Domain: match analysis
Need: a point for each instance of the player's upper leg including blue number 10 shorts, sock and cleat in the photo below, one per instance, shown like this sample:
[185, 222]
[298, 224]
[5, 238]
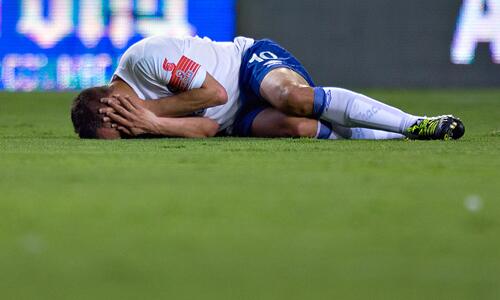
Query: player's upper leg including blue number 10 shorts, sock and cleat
[274, 74]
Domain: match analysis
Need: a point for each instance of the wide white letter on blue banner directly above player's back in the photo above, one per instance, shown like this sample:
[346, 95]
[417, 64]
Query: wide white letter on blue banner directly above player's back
[174, 22]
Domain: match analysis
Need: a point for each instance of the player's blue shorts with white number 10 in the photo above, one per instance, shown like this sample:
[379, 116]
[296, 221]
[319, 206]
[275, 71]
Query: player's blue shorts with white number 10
[260, 59]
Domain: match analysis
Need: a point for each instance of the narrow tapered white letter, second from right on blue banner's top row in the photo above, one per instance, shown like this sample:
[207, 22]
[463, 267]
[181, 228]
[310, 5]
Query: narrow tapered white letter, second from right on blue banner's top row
[121, 27]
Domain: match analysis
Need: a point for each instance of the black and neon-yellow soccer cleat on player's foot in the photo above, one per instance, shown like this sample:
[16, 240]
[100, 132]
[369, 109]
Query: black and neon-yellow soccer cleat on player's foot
[436, 128]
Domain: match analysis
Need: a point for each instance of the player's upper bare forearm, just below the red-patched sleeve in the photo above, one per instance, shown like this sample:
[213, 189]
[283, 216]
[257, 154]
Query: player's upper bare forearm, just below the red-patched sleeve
[186, 103]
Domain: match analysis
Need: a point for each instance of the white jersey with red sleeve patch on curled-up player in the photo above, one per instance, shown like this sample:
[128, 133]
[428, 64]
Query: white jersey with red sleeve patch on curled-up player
[160, 66]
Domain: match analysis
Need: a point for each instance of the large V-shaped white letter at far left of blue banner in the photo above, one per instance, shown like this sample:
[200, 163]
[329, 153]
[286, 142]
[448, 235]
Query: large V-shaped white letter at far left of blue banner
[46, 32]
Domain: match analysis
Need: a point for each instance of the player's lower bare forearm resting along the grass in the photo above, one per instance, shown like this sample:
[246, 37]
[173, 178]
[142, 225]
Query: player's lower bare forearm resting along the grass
[196, 127]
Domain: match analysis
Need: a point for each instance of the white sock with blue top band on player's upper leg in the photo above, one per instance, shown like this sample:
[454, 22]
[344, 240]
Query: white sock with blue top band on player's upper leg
[350, 109]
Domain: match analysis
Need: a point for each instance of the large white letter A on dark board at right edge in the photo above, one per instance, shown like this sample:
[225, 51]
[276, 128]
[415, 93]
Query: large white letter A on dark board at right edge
[476, 25]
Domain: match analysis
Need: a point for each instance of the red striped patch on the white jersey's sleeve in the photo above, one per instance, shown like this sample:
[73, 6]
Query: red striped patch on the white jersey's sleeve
[182, 74]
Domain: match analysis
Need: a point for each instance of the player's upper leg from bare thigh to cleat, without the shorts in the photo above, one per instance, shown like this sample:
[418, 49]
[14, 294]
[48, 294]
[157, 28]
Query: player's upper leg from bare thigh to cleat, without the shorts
[288, 91]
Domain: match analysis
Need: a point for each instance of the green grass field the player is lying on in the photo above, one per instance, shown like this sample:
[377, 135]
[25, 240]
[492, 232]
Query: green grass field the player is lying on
[249, 218]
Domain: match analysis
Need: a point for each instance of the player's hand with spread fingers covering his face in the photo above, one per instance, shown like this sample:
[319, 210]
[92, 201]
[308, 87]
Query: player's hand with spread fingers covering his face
[129, 116]
